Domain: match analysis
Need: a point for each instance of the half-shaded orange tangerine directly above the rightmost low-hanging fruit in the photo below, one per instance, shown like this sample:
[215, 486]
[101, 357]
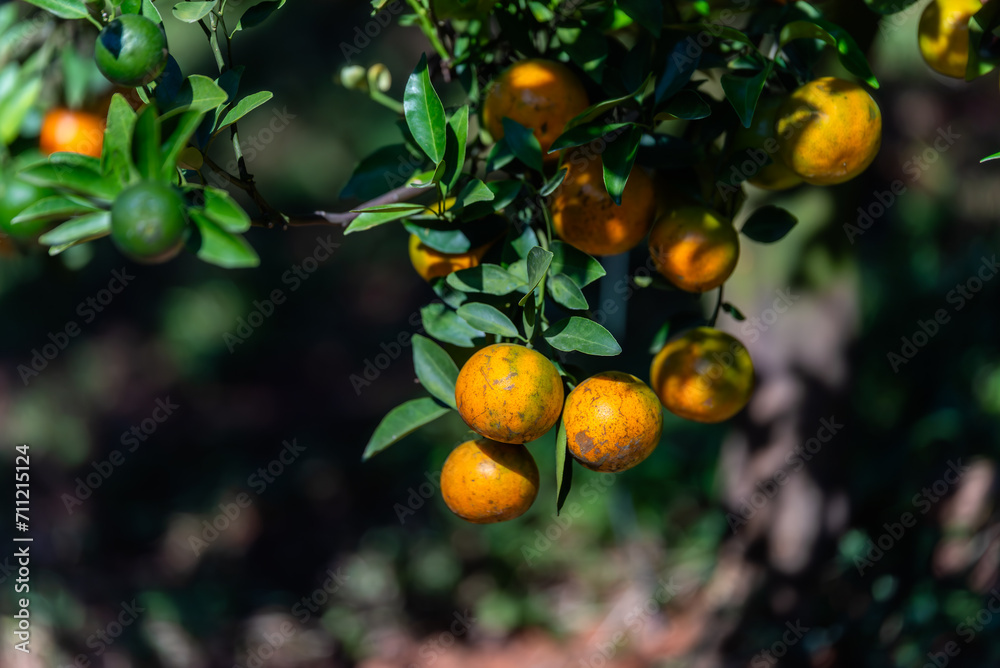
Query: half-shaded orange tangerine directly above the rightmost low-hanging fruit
[694, 248]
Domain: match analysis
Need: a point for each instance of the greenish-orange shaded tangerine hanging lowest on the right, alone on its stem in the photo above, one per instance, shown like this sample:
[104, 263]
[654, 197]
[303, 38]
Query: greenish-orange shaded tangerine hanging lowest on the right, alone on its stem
[703, 375]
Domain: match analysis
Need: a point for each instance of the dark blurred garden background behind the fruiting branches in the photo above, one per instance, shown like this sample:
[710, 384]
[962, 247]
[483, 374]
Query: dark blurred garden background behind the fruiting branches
[778, 538]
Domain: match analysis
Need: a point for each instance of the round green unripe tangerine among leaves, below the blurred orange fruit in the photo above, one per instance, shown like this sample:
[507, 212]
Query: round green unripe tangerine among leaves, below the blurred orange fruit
[148, 223]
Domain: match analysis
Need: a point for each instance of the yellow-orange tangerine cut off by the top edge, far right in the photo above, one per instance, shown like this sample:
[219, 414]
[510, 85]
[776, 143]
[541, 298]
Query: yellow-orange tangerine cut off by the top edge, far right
[943, 35]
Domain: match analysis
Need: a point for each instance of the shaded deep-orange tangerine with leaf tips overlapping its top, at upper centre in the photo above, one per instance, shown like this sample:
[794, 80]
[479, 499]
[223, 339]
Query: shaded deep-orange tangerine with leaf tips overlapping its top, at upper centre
[585, 216]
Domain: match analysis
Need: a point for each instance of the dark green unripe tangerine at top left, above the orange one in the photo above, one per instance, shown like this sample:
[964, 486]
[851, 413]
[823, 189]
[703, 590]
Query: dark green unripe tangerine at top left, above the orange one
[131, 50]
